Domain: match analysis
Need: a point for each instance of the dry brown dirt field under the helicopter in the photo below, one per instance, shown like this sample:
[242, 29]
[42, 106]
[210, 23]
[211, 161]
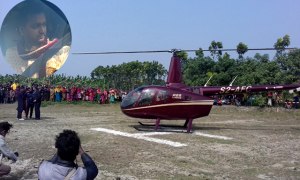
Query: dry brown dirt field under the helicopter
[265, 143]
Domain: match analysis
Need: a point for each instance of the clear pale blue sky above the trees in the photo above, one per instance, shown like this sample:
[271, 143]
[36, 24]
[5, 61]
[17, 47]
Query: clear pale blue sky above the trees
[140, 25]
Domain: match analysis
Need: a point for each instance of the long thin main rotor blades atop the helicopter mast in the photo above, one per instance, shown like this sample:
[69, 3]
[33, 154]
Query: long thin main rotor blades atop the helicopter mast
[177, 50]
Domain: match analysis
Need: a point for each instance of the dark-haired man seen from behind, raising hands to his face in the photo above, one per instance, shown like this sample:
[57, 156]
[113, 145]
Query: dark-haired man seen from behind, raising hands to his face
[62, 165]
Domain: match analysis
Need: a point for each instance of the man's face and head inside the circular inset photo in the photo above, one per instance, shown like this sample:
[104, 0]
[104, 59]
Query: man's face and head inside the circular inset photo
[34, 30]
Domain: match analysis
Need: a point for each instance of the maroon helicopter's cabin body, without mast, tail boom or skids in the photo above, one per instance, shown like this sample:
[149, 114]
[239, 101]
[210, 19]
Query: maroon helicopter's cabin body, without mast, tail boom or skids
[166, 103]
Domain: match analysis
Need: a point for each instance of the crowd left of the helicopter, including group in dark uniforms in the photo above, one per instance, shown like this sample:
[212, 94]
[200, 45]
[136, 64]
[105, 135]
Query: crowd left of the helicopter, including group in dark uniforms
[31, 97]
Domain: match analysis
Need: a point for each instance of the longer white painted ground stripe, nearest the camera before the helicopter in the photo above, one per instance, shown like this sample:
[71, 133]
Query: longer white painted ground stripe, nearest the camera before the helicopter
[140, 136]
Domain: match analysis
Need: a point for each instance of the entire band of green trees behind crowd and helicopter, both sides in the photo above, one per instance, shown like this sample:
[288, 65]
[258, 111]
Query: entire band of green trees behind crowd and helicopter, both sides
[284, 68]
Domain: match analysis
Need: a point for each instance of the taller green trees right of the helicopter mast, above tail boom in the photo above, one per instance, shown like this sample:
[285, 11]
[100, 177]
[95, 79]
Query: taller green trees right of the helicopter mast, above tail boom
[284, 68]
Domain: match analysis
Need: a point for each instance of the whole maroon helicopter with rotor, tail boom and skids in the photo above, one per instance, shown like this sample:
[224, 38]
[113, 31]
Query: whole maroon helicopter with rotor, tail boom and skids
[176, 101]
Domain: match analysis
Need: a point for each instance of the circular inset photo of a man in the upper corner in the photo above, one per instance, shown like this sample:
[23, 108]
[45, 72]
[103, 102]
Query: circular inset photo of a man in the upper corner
[35, 38]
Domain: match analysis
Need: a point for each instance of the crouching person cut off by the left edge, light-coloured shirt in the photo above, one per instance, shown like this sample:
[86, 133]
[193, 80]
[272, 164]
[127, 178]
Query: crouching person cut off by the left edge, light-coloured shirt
[5, 151]
